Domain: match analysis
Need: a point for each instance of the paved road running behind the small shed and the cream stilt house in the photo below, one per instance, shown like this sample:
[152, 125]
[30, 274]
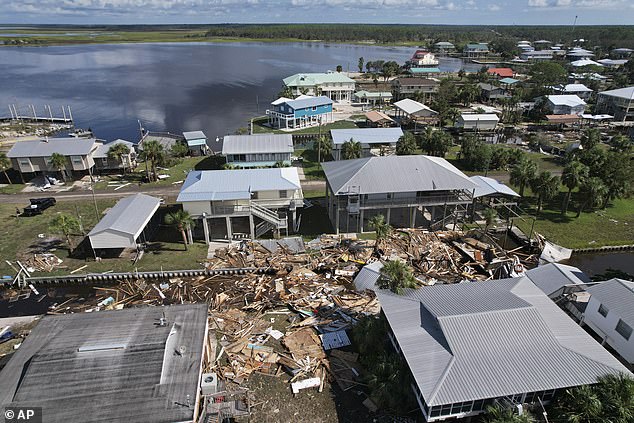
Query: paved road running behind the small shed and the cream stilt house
[161, 191]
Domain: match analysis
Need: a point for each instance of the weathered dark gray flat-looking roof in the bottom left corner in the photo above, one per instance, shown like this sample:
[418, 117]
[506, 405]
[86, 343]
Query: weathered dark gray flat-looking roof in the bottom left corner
[110, 366]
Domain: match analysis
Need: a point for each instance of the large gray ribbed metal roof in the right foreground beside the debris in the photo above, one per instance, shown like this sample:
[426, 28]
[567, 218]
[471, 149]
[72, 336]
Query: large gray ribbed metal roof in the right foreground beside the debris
[480, 340]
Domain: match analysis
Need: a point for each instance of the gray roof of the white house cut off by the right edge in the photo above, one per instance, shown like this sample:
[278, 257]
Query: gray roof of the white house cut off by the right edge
[618, 296]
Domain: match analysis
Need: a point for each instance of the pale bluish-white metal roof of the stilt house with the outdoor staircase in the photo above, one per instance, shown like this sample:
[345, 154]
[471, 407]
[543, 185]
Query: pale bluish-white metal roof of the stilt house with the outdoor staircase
[214, 185]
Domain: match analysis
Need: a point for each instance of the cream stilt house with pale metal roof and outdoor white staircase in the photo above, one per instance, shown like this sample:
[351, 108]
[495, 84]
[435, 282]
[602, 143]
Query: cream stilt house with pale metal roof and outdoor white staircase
[226, 198]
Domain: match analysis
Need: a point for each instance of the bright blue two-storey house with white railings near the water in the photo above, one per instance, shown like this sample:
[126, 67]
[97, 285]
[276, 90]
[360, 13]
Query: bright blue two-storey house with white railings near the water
[302, 112]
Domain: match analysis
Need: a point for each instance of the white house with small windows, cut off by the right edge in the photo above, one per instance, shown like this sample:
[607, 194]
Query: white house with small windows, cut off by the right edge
[610, 313]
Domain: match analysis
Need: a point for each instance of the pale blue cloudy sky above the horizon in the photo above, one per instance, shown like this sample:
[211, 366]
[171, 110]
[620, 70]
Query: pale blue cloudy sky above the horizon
[479, 12]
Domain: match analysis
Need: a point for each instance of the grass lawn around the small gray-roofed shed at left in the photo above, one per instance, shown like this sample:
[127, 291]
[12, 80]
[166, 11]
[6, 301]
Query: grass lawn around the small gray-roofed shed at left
[20, 238]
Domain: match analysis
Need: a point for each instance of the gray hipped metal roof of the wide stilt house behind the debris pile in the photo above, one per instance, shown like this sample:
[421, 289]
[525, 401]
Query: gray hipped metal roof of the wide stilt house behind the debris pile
[393, 174]
